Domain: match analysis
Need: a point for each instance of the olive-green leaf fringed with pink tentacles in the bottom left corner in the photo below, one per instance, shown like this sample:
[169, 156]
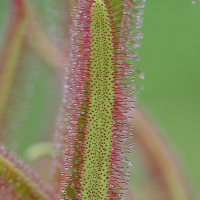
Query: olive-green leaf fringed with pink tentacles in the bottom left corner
[24, 181]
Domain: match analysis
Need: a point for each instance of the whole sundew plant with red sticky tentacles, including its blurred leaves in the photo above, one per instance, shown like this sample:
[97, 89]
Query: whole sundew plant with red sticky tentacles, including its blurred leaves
[94, 126]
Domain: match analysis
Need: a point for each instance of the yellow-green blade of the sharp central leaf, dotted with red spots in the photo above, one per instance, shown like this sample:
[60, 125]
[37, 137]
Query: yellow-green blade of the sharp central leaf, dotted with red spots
[98, 136]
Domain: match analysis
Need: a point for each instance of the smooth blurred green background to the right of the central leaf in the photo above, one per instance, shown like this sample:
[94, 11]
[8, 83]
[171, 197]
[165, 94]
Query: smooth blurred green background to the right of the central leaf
[171, 63]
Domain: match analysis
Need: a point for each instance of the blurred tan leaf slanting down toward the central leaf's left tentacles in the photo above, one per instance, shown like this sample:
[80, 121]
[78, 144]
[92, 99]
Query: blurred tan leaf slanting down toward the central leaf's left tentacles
[42, 43]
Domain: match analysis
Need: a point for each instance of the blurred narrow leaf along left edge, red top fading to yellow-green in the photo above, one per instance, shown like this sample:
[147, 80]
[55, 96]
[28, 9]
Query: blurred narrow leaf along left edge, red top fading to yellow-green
[11, 54]
